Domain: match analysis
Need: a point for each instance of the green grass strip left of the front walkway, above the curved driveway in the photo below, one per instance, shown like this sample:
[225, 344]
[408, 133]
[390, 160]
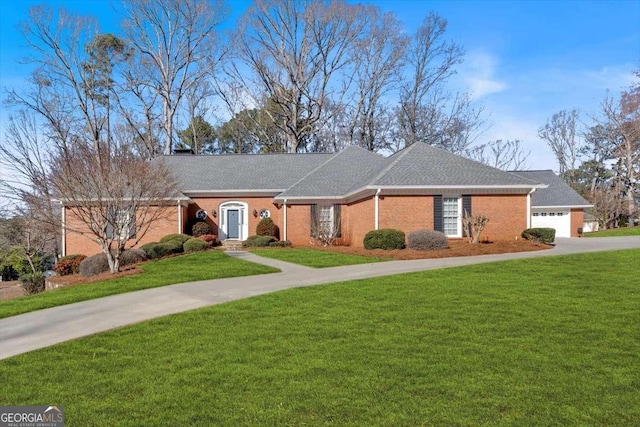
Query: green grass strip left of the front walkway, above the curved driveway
[168, 271]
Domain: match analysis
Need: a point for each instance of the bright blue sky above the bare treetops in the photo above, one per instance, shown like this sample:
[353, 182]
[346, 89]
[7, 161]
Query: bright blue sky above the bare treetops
[525, 60]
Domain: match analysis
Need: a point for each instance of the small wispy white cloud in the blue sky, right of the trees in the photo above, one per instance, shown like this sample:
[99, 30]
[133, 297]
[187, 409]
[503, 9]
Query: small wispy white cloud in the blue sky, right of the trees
[478, 73]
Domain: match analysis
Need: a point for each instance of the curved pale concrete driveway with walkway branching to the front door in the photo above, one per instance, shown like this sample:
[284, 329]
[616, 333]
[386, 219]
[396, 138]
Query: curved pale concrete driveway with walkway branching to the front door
[31, 331]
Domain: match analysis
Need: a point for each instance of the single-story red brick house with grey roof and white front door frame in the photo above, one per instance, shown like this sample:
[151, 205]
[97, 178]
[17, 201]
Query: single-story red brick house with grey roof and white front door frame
[351, 193]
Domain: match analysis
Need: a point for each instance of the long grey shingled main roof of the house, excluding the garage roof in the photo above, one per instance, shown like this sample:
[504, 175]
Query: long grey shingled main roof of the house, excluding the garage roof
[350, 172]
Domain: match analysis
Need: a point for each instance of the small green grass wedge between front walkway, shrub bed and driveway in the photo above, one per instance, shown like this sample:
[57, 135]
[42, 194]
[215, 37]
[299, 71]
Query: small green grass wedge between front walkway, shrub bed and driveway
[314, 257]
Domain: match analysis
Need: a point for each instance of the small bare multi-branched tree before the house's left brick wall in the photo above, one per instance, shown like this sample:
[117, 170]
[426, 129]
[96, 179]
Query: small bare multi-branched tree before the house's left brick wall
[112, 197]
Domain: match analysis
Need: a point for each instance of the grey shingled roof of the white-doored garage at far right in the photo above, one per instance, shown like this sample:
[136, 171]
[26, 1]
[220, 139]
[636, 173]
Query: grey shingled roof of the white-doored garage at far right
[557, 194]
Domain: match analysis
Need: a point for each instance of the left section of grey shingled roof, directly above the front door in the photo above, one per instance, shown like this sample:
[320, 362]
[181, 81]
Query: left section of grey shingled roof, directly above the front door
[242, 172]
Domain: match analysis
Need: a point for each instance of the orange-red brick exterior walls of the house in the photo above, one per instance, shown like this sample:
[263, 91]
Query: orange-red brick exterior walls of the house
[507, 218]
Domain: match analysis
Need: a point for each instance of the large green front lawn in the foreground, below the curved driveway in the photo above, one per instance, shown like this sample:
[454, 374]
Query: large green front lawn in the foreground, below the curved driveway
[546, 341]
